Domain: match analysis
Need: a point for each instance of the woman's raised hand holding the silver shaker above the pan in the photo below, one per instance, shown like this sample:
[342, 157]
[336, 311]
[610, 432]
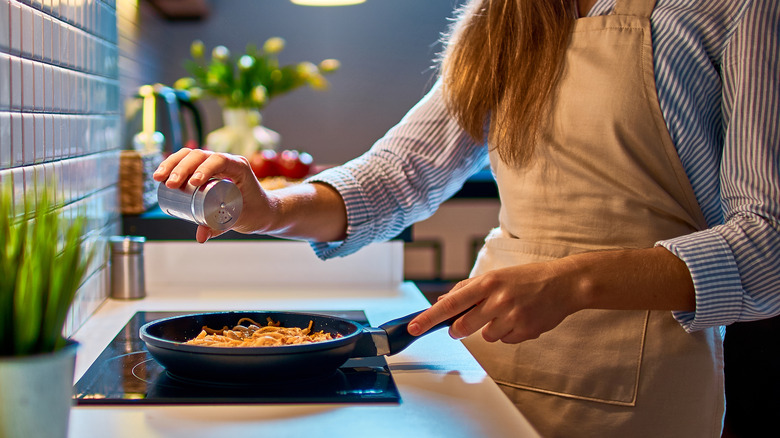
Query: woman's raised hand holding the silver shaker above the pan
[198, 166]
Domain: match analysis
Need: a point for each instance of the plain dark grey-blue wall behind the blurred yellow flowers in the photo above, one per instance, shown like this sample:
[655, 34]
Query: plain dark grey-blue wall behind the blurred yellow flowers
[386, 47]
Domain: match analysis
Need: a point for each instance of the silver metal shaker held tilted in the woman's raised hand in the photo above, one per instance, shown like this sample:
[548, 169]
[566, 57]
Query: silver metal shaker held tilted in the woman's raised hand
[216, 204]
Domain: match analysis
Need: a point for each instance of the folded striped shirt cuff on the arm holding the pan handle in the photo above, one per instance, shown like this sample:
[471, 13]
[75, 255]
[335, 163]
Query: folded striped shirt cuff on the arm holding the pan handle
[716, 279]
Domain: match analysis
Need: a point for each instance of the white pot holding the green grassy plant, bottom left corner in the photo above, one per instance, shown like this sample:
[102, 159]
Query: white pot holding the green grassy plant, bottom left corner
[36, 394]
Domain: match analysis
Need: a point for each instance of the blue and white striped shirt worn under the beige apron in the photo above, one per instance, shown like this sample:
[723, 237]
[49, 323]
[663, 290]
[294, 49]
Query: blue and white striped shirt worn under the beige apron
[717, 74]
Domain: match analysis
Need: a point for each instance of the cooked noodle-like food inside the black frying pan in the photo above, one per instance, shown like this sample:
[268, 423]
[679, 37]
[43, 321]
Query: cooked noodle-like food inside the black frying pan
[255, 335]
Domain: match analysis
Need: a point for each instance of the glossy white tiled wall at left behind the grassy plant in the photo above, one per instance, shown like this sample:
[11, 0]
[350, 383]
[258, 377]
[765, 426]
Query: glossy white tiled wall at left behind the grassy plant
[60, 116]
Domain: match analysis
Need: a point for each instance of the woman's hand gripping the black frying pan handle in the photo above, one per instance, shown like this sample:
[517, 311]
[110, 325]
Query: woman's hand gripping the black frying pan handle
[513, 304]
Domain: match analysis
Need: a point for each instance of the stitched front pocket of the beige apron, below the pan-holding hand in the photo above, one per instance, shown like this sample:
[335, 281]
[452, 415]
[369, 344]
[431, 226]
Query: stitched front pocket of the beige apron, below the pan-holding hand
[592, 355]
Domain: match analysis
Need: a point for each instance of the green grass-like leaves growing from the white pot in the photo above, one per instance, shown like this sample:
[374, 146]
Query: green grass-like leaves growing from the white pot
[39, 273]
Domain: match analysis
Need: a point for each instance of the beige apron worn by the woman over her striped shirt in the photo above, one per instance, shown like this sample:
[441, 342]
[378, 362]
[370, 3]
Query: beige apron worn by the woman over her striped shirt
[605, 175]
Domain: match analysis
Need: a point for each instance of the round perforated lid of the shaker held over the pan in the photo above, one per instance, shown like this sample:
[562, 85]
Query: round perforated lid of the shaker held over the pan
[217, 204]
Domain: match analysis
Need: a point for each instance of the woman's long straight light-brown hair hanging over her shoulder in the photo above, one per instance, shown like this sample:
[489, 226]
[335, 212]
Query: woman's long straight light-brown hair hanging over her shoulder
[501, 63]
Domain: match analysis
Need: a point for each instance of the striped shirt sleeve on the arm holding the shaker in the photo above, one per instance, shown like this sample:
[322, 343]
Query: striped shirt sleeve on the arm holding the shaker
[404, 177]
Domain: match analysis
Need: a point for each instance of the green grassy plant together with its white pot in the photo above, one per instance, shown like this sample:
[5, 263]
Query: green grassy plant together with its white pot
[42, 264]
